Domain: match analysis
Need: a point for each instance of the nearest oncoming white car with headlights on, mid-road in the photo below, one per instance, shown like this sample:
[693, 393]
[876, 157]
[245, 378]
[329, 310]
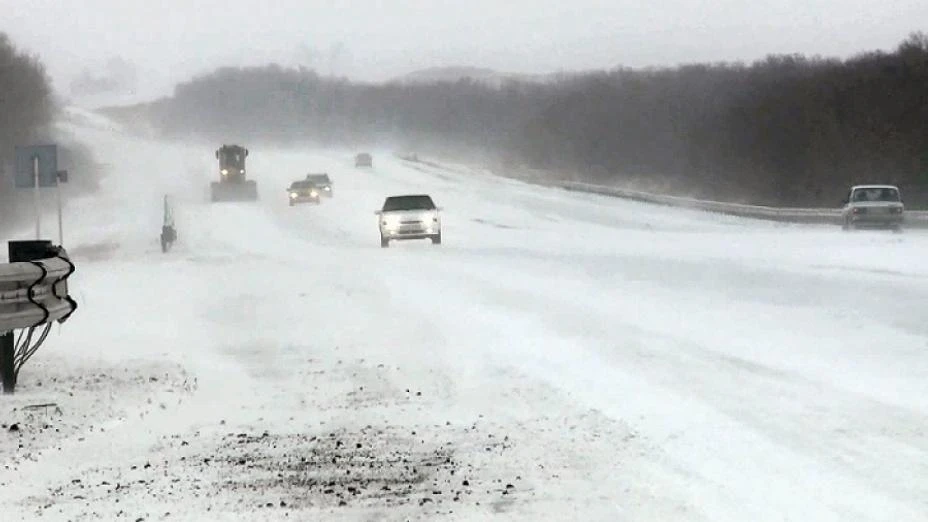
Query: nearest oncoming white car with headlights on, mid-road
[409, 217]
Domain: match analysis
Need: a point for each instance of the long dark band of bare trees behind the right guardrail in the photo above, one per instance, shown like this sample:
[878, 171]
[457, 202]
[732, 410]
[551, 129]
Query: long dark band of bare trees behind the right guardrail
[785, 130]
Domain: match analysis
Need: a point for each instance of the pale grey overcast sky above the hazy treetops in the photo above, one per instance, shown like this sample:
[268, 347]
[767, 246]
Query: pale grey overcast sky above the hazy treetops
[169, 40]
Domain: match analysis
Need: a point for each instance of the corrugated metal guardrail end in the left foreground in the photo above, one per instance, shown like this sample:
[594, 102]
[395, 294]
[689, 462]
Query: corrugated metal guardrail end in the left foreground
[35, 292]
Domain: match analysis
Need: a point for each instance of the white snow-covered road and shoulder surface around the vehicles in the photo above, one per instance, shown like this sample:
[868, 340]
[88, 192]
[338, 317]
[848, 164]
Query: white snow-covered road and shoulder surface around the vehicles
[560, 357]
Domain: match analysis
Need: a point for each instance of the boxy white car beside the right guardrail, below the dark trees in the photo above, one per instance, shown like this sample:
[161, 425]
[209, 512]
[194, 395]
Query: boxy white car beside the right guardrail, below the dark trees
[873, 206]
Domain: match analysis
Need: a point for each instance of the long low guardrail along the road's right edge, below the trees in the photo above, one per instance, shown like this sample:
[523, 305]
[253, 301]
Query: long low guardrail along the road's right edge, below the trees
[789, 215]
